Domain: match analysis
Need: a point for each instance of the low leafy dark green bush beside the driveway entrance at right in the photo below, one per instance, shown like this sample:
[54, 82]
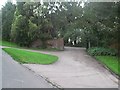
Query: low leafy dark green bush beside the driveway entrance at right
[98, 51]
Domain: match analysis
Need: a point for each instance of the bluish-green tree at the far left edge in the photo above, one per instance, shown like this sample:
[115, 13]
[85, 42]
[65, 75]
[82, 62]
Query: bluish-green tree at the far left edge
[7, 19]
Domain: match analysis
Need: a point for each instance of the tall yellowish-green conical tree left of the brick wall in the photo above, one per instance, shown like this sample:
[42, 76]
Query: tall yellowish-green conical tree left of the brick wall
[20, 26]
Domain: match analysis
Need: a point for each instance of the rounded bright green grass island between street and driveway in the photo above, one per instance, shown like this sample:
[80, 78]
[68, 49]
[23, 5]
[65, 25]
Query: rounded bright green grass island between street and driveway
[23, 56]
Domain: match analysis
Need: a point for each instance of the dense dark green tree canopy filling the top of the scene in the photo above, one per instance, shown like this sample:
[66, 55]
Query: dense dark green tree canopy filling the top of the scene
[95, 24]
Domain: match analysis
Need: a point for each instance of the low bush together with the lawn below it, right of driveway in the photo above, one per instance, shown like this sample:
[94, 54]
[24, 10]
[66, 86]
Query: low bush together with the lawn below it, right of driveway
[107, 57]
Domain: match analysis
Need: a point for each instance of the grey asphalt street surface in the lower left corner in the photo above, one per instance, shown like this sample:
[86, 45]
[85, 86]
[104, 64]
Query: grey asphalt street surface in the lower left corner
[15, 75]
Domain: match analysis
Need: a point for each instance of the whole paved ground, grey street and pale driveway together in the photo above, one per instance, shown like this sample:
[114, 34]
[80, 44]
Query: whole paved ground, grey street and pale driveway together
[74, 69]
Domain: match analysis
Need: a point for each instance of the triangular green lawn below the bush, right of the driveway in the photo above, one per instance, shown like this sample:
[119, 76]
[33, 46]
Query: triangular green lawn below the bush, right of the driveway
[111, 62]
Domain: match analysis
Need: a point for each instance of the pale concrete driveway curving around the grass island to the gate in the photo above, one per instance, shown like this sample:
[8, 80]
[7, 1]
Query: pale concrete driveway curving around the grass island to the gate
[75, 69]
